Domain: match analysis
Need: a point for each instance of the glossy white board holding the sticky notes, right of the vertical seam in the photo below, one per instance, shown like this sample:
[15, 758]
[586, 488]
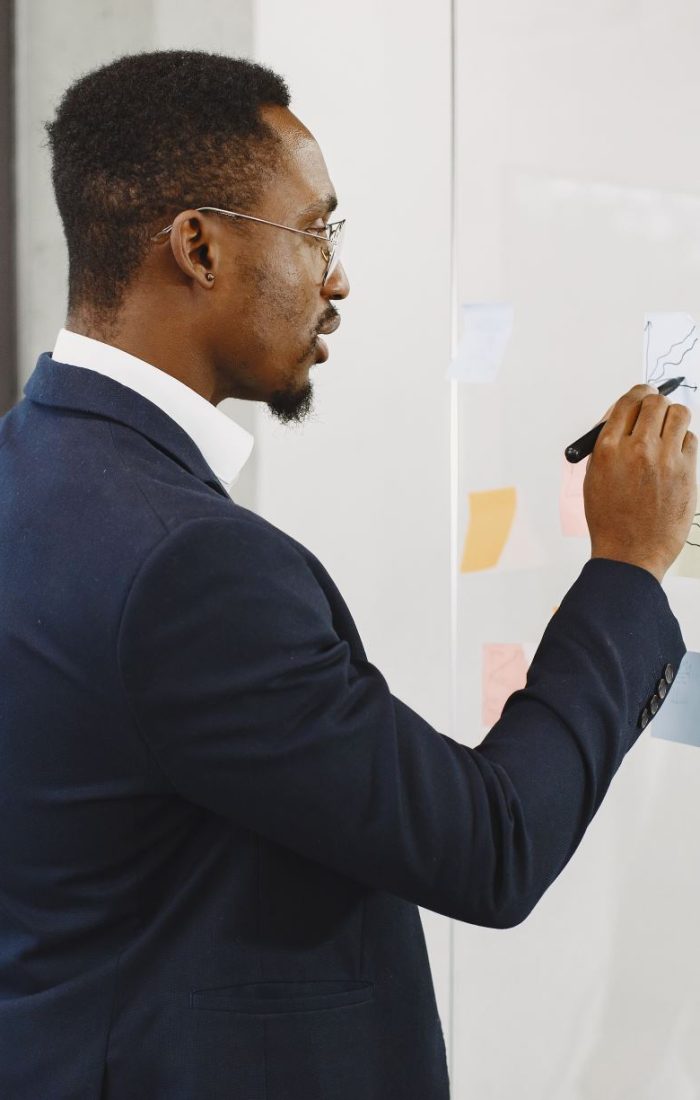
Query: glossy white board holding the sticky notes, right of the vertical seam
[578, 184]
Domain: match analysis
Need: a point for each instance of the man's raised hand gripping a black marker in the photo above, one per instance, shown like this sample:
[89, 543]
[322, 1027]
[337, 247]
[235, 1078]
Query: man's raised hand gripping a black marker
[640, 490]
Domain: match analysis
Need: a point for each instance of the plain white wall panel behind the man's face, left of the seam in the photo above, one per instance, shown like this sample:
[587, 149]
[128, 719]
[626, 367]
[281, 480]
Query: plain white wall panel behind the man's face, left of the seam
[366, 482]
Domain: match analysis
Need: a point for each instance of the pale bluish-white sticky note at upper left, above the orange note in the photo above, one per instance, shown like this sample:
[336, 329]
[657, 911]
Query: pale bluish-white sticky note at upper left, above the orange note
[485, 333]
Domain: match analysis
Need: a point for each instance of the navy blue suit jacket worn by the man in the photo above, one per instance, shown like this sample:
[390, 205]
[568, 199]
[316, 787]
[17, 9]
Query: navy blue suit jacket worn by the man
[217, 822]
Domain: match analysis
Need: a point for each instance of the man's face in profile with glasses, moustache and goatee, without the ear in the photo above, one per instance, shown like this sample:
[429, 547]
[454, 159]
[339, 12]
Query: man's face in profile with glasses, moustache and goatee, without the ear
[269, 305]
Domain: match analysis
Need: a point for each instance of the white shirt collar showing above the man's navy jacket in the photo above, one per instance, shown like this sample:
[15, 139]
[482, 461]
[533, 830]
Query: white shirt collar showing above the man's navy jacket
[226, 446]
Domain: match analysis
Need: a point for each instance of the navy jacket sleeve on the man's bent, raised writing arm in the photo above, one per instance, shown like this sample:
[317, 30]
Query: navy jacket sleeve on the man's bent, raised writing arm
[254, 708]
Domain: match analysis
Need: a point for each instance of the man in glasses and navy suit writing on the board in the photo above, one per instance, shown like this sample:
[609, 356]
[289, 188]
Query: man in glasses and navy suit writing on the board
[218, 822]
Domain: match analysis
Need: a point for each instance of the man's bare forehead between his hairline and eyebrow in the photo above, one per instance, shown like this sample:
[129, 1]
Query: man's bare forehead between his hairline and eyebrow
[303, 177]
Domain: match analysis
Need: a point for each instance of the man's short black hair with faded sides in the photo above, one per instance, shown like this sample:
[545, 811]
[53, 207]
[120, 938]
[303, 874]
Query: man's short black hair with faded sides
[148, 136]
